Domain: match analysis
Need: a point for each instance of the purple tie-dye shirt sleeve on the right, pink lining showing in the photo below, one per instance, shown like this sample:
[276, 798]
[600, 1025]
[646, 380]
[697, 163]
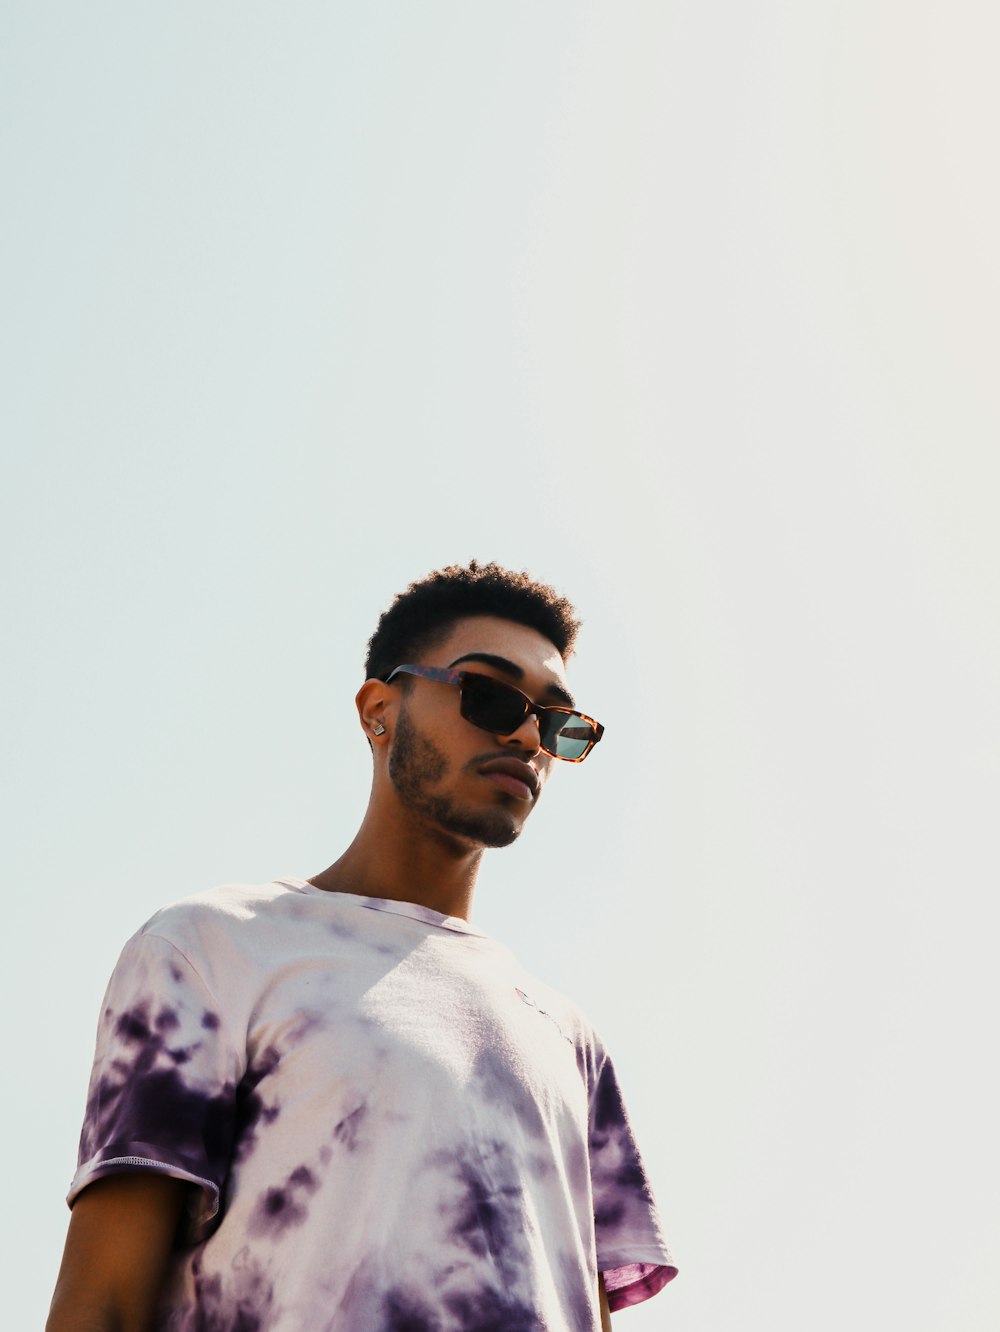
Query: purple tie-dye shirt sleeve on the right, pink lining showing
[632, 1251]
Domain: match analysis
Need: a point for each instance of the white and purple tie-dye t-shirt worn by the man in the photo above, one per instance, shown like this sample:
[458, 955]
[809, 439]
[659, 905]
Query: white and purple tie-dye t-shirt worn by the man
[388, 1125]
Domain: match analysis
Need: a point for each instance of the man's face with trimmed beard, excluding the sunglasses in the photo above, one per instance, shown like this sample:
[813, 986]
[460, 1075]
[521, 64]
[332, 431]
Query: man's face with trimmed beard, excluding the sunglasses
[443, 767]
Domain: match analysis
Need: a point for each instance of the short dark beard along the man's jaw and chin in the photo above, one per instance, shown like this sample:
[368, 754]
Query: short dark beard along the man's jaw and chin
[416, 765]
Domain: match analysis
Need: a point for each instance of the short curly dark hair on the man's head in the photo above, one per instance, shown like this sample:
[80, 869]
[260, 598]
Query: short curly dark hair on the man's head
[424, 615]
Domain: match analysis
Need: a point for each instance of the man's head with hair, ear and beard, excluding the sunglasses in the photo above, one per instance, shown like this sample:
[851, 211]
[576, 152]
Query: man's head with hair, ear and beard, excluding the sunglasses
[471, 785]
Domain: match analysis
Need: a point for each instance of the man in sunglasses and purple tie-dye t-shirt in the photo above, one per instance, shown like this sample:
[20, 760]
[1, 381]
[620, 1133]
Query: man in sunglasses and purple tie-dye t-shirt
[335, 1104]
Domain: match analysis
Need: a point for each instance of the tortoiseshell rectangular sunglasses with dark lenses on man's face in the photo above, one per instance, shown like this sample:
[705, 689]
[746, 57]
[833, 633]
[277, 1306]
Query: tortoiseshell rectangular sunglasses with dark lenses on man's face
[495, 707]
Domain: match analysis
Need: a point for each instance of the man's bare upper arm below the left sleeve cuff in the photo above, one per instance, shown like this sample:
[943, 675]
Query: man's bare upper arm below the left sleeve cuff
[121, 1235]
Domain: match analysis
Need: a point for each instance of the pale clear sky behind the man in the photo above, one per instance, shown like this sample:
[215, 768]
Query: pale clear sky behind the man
[689, 308]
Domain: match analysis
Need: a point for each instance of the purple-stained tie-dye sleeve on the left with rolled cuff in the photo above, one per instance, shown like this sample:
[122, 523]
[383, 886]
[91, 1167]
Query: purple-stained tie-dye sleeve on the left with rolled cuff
[163, 1088]
